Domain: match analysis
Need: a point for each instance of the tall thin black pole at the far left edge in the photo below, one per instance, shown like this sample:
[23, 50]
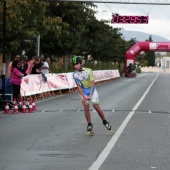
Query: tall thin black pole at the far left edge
[4, 50]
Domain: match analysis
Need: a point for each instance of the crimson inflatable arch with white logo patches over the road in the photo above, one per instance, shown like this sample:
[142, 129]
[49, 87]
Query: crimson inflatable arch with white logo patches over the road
[144, 46]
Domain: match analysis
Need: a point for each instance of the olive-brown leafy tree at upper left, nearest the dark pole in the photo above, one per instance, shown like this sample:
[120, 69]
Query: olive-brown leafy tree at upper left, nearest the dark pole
[25, 19]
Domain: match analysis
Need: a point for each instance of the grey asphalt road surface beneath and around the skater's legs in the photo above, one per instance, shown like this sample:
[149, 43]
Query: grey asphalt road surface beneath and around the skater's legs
[54, 137]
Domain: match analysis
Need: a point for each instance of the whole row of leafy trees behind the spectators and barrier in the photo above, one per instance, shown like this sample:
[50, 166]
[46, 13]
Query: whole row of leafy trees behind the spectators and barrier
[65, 28]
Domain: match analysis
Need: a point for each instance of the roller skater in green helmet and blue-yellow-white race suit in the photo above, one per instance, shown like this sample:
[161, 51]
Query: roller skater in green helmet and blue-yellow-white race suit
[85, 84]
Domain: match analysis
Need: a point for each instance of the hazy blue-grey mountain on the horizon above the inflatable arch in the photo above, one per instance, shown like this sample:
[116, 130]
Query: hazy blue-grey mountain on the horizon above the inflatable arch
[141, 36]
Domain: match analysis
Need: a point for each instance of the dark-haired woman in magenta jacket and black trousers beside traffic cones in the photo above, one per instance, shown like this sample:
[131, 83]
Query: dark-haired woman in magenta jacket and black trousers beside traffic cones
[16, 78]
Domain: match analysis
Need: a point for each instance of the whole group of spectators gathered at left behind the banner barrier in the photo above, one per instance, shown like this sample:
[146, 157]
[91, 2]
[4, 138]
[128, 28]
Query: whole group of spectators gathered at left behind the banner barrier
[23, 66]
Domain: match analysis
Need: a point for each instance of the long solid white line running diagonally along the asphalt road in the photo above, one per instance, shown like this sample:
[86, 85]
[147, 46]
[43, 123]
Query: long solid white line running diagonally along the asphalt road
[101, 158]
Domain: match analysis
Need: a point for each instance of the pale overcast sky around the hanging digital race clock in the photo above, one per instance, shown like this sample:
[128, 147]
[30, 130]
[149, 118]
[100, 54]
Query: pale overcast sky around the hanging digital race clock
[159, 17]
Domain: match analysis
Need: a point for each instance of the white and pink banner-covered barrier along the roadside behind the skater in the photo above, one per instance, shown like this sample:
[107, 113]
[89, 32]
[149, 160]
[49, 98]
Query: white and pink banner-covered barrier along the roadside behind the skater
[34, 84]
